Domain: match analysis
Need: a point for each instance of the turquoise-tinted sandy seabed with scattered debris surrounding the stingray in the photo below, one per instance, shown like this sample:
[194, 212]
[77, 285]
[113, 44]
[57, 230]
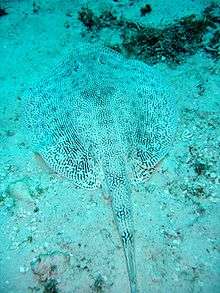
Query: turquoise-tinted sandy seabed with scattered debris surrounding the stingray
[46, 224]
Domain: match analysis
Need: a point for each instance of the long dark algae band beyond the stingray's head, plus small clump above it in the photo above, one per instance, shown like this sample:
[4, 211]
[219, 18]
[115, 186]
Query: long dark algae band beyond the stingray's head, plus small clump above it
[171, 44]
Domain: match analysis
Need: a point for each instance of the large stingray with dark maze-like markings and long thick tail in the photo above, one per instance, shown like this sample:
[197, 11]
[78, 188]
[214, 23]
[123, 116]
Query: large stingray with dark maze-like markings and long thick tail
[101, 120]
